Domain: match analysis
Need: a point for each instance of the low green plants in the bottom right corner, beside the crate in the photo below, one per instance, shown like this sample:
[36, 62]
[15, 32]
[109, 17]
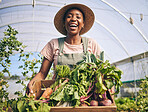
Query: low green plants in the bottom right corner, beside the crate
[140, 104]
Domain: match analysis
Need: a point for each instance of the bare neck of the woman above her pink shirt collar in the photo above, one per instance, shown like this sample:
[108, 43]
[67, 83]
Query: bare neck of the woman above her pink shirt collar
[73, 39]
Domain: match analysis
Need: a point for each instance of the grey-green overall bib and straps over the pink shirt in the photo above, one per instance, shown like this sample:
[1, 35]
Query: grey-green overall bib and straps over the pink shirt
[71, 59]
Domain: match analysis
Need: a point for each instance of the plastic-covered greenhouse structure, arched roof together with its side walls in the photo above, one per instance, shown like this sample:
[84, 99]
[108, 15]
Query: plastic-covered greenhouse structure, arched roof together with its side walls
[120, 29]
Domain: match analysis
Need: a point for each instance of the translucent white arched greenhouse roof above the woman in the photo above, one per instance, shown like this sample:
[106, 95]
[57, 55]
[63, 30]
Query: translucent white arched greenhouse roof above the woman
[120, 27]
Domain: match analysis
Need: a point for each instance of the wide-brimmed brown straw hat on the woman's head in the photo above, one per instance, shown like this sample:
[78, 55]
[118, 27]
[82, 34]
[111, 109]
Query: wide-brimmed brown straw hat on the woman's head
[59, 18]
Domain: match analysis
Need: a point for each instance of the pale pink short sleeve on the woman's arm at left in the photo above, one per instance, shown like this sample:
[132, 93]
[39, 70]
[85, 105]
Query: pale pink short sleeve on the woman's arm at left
[47, 51]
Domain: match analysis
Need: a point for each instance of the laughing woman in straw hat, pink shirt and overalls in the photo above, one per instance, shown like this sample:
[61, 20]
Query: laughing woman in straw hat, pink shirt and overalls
[72, 21]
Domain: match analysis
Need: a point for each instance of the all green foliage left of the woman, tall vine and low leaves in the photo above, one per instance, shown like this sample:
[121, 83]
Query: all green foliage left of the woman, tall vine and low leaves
[9, 45]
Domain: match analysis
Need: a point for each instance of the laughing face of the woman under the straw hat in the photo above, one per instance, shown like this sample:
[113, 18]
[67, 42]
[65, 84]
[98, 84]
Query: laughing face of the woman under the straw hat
[74, 22]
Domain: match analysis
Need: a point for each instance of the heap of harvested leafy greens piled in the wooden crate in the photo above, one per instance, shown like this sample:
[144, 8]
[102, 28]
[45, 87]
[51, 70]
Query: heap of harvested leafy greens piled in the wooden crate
[89, 80]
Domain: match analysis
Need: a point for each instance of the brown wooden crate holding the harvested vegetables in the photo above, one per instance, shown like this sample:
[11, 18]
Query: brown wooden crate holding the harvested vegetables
[37, 89]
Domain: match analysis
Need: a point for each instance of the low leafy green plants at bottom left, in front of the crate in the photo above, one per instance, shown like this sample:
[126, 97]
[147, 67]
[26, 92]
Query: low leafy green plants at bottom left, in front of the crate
[28, 104]
